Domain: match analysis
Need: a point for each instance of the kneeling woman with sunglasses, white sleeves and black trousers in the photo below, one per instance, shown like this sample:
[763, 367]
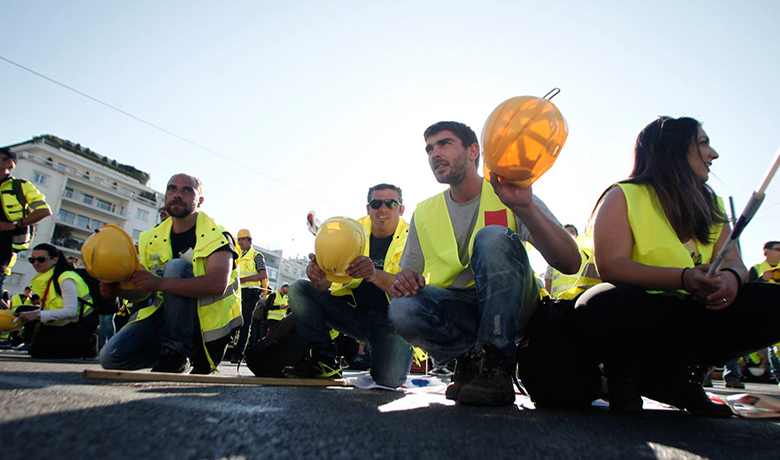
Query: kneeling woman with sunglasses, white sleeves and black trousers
[63, 327]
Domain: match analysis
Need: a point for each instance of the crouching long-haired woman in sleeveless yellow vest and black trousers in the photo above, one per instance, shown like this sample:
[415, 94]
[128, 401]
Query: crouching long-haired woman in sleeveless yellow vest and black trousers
[657, 321]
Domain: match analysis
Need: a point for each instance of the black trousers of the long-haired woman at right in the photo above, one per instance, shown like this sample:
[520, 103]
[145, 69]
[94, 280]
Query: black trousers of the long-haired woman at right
[624, 324]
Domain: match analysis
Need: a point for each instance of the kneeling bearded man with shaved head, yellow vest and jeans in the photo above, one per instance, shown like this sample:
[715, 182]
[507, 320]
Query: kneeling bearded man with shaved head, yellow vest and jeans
[190, 267]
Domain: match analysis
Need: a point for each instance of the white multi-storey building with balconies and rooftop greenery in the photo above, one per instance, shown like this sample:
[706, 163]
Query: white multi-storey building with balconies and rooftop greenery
[85, 191]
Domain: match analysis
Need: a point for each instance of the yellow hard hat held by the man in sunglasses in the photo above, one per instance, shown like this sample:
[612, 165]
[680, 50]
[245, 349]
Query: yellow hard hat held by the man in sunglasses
[338, 242]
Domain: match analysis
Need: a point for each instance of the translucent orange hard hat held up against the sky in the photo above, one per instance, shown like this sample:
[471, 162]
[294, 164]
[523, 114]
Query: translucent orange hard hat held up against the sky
[522, 138]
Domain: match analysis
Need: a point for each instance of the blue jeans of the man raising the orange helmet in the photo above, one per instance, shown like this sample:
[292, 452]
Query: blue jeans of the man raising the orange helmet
[447, 323]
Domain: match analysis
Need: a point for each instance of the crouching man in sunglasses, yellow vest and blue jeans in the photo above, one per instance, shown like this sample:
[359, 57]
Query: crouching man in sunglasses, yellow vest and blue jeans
[359, 308]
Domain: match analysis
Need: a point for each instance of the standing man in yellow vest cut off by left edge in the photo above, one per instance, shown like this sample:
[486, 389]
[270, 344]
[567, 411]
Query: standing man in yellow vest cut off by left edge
[23, 206]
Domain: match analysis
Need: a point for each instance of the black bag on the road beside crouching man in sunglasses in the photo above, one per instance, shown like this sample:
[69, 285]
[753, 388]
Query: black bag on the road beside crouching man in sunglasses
[279, 349]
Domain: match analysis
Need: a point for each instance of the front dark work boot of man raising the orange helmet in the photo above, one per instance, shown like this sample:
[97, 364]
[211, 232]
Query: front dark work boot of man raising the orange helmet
[493, 386]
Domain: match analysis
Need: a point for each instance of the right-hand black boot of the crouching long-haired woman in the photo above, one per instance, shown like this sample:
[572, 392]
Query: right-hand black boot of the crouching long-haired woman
[683, 389]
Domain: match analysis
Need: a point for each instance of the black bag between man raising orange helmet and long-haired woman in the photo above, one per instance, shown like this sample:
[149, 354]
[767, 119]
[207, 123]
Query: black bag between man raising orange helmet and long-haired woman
[552, 361]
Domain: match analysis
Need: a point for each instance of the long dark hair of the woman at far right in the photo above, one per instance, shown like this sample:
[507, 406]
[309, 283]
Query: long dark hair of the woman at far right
[661, 160]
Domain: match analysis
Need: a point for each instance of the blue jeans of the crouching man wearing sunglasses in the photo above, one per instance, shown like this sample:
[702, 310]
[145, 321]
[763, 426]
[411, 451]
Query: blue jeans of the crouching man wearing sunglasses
[316, 312]
